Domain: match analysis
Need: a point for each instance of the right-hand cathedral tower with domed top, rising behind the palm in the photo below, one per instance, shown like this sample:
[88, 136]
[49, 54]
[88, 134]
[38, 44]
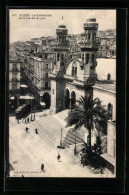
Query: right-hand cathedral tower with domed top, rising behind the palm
[89, 49]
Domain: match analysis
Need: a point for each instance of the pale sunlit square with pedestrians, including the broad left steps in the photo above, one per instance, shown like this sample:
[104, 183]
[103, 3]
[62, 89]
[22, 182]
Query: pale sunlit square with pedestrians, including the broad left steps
[27, 151]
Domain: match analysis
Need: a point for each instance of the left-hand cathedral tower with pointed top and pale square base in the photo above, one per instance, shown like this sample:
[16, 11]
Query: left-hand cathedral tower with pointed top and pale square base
[56, 76]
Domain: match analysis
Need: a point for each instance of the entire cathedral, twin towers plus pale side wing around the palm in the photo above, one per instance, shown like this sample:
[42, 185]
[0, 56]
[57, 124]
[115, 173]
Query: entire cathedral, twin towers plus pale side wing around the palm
[76, 77]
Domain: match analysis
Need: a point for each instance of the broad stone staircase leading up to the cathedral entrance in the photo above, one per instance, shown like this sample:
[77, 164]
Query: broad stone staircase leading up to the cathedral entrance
[51, 125]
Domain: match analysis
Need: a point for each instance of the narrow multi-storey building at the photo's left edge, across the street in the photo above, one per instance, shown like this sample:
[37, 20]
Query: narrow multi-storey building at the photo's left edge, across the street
[14, 82]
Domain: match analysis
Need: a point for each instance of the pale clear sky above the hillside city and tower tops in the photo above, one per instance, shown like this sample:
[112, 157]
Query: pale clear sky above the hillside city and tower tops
[26, 29]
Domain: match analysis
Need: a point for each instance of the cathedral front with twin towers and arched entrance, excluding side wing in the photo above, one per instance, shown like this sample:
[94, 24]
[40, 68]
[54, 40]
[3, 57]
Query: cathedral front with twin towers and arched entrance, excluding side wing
[72, 76]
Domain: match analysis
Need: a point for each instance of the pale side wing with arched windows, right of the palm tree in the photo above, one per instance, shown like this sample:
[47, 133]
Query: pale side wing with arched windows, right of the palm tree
[107, 94]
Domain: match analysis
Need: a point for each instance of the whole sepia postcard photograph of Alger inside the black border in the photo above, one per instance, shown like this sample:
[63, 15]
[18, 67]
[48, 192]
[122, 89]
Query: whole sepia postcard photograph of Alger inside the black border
[62, 93]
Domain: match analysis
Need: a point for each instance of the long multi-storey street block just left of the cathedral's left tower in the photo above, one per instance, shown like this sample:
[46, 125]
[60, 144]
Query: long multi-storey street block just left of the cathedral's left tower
[36, 76]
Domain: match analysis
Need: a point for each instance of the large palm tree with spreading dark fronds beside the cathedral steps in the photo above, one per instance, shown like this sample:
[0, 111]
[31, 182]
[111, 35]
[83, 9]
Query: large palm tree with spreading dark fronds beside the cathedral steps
[86, 114]
